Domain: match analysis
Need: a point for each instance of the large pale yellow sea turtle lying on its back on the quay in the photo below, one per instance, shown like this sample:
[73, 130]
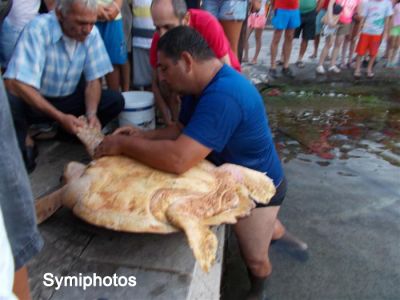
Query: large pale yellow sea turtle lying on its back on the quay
[123, 194]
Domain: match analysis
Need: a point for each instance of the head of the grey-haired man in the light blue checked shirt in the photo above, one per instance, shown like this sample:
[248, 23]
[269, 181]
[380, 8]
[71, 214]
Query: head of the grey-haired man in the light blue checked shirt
[77, 17]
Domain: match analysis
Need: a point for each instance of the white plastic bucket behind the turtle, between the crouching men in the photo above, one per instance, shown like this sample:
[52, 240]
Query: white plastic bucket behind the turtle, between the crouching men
[138, 110]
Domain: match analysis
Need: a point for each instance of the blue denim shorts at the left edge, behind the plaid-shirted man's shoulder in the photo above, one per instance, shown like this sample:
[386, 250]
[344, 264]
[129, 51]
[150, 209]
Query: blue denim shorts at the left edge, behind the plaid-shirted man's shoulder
[8, 39]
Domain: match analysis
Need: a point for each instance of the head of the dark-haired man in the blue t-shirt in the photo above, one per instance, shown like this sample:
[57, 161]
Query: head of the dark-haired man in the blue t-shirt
[181, 53]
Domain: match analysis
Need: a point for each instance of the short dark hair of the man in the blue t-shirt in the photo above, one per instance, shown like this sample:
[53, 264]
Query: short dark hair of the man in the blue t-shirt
[184, 38]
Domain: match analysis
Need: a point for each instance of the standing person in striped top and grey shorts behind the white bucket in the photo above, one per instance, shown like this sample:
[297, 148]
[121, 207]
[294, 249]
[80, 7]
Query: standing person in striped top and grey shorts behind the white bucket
[143, 30]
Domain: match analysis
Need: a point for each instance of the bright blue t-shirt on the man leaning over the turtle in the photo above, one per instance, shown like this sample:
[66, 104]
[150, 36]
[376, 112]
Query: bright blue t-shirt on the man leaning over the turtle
[230, 118]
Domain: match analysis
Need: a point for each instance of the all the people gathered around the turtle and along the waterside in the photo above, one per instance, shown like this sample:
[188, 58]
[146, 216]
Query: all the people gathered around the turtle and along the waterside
[66, 58]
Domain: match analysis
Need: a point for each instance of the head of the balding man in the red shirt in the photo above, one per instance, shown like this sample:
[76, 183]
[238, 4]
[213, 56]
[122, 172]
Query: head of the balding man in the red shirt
[168, 14]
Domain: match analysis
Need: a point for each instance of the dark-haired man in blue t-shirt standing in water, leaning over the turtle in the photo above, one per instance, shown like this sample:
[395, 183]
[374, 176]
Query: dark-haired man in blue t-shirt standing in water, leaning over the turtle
[224, 120]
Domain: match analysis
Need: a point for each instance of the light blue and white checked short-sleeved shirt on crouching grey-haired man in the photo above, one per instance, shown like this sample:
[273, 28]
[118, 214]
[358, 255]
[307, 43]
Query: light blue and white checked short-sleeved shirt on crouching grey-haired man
[41, 59]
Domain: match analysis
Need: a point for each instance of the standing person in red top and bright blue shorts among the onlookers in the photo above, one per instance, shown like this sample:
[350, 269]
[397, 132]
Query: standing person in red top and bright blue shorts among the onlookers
[286, 19]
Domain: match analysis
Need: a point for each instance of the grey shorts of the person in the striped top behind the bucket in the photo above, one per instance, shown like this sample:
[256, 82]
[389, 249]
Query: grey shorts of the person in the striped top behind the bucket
[142, 70]
